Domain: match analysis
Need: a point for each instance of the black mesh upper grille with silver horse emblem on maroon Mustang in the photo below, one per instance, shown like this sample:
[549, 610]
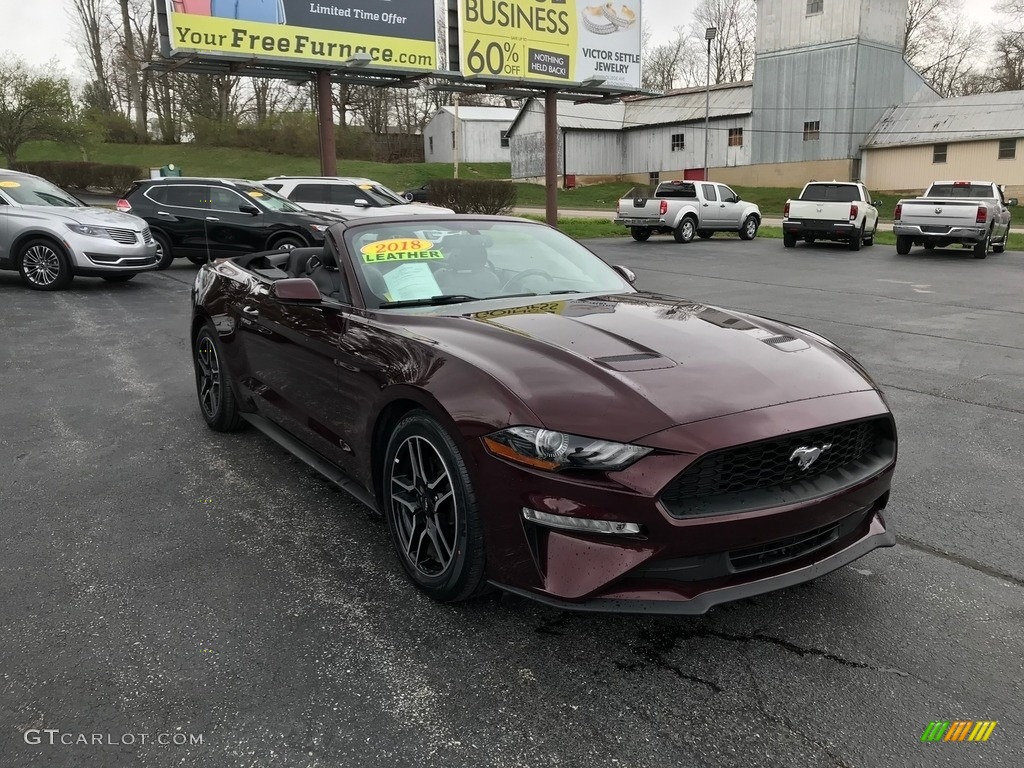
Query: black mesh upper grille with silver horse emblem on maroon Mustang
[769, 474]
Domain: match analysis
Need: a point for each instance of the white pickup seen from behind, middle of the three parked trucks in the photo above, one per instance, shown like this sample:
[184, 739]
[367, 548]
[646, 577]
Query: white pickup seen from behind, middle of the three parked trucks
[831, 210]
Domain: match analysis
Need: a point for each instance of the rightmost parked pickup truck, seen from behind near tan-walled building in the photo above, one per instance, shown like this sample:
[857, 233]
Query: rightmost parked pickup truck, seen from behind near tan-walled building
[974, 215]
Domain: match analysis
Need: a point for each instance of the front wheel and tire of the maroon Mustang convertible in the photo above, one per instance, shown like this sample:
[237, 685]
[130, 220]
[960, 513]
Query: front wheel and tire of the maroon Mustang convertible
[432, 510]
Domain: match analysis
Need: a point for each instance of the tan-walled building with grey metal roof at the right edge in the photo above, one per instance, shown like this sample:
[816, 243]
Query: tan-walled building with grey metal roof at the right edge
[971, 138]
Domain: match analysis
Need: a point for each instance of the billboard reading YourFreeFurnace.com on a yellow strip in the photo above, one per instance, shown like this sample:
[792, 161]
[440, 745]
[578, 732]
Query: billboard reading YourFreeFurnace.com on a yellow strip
[397, 34]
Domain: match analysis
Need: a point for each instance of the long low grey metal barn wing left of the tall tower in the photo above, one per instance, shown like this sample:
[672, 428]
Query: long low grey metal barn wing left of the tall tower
[639, 138]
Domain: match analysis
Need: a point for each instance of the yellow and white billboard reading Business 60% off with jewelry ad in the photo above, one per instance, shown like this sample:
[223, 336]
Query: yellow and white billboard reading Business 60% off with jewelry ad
[552, 41]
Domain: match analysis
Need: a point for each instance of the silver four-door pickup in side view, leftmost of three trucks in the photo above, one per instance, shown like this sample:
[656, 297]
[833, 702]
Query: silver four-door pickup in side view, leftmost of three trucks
[688, 209]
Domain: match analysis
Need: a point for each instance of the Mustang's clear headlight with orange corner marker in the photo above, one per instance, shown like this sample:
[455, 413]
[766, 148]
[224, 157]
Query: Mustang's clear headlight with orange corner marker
[544, 449]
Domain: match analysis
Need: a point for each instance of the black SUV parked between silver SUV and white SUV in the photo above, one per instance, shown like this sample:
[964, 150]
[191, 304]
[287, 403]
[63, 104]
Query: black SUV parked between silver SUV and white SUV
[201, 219]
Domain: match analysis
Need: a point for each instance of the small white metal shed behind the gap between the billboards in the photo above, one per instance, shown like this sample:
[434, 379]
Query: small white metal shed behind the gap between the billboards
[483, 135]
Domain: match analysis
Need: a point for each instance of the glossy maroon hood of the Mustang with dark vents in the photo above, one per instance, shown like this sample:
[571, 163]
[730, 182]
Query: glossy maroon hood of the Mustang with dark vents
[626, 366]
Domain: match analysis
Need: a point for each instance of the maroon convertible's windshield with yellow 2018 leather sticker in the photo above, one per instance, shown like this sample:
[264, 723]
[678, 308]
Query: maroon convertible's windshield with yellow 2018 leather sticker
[438, 263]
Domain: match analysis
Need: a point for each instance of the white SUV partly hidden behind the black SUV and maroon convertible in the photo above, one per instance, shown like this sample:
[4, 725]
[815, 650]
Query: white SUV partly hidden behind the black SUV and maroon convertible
[347, 196]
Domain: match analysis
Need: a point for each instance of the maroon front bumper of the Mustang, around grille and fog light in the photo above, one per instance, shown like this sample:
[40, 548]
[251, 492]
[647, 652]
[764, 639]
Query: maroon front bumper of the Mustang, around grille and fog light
[678, 565]
